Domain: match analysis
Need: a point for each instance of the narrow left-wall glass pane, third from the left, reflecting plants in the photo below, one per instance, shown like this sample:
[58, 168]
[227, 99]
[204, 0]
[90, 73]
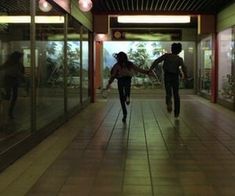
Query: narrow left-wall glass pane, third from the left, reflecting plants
[74, 64]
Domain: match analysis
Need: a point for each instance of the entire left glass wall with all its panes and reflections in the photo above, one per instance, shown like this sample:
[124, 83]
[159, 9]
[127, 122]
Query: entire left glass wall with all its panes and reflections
[38, 93]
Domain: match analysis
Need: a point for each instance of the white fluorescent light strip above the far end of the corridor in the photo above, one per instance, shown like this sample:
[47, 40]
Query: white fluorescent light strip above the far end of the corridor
[153, 19]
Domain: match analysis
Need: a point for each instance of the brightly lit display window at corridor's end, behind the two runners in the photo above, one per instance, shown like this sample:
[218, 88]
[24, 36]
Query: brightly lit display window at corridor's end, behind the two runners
[143, 53]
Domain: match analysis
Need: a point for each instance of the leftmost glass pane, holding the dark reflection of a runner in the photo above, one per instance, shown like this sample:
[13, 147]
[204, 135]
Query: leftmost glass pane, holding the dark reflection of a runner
[15, 75]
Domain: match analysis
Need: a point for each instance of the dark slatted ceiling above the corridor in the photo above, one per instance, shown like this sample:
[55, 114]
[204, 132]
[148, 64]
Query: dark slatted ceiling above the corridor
[160, 6]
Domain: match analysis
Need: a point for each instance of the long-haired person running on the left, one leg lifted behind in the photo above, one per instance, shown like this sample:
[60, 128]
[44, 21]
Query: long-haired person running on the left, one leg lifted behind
[123, 71]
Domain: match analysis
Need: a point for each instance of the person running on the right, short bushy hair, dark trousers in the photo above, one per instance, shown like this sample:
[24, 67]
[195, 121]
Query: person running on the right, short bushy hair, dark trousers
[174, 68]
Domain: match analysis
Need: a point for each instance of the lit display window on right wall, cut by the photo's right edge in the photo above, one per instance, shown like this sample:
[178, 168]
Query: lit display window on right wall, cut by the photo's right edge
[225, 73]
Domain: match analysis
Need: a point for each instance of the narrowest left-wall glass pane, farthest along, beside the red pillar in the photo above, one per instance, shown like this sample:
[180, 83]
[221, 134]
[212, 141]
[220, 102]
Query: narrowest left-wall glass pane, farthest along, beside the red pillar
[85, 65]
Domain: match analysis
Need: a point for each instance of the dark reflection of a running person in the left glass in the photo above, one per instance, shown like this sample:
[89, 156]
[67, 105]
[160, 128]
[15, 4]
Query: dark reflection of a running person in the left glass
[13, 74]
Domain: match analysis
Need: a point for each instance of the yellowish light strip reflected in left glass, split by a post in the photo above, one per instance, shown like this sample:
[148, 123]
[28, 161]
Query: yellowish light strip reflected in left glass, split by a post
[27, 19]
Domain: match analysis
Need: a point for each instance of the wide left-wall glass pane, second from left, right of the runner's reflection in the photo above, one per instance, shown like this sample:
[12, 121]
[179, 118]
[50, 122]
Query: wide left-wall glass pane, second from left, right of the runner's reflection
[49, 68]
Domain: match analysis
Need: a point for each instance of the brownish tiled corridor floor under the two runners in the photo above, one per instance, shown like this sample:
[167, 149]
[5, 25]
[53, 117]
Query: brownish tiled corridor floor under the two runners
[95, 154]
